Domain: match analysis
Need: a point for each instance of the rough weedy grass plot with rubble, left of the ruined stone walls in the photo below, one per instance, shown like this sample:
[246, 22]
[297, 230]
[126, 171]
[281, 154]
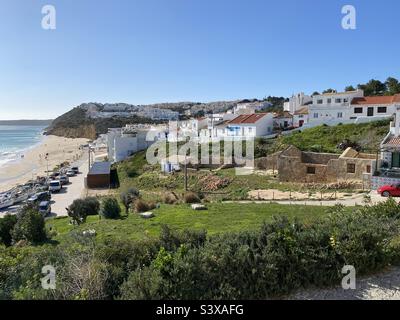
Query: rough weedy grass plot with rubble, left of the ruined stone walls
[153, 184]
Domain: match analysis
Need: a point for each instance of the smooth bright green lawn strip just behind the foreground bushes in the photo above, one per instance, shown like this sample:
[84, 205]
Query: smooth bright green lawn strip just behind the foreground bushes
[219, 218]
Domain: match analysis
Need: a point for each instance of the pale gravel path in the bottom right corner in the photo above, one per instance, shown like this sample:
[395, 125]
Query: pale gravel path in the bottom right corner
[384, 286]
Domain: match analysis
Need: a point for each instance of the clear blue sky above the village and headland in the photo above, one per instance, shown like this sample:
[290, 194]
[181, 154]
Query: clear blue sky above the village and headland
[147, 51]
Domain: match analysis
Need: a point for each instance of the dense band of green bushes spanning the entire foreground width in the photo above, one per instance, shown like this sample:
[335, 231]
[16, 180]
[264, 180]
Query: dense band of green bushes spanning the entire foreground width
[280, 257]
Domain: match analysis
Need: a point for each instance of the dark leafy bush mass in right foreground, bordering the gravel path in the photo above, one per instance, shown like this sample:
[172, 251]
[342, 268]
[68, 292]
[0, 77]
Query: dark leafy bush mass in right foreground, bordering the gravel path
[283, 256]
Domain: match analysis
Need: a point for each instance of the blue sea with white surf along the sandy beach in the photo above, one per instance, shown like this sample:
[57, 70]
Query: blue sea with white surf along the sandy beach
[15, 140]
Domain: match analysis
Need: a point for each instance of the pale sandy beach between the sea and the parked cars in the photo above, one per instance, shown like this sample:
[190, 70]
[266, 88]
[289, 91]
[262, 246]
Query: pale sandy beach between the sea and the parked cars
[34, 161]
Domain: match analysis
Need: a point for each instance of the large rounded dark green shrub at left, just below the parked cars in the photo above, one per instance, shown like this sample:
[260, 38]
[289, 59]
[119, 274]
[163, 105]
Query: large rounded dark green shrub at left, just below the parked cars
[30, 226]
